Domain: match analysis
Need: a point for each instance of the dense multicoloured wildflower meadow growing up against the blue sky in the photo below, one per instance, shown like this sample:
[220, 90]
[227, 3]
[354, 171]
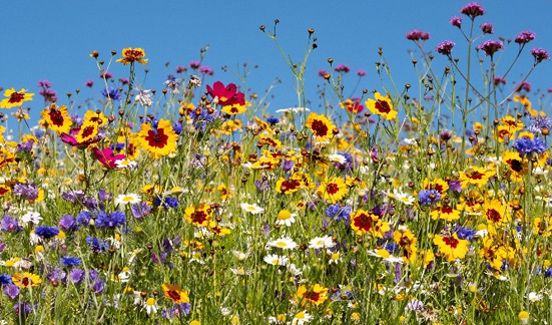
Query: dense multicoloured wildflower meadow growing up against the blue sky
[198, 203]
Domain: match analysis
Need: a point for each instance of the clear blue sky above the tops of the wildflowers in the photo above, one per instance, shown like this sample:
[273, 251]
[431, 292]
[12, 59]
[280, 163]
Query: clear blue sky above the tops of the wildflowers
[52, 39]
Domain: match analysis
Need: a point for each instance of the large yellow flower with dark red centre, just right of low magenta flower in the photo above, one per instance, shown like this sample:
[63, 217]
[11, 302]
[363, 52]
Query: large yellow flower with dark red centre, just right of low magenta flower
[158, 142]
